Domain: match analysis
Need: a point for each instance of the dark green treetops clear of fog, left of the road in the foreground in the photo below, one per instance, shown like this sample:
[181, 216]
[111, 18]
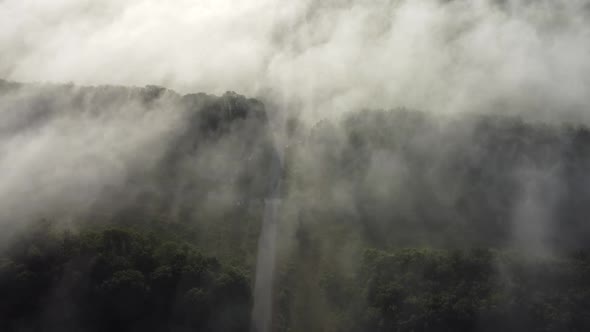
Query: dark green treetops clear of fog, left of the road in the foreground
[118, 280]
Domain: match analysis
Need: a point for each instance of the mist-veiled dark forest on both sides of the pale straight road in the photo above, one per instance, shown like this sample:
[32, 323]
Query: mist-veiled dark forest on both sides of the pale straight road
[391, 220]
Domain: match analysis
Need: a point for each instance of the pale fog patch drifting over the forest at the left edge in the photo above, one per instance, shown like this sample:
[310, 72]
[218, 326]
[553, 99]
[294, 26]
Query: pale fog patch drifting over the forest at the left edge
[57, 158]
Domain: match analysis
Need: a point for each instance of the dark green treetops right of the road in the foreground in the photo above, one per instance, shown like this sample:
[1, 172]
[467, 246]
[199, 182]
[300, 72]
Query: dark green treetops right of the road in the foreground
[483, 290]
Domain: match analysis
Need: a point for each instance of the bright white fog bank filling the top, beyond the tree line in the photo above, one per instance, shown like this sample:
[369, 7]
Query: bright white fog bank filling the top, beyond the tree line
[324, 56]
